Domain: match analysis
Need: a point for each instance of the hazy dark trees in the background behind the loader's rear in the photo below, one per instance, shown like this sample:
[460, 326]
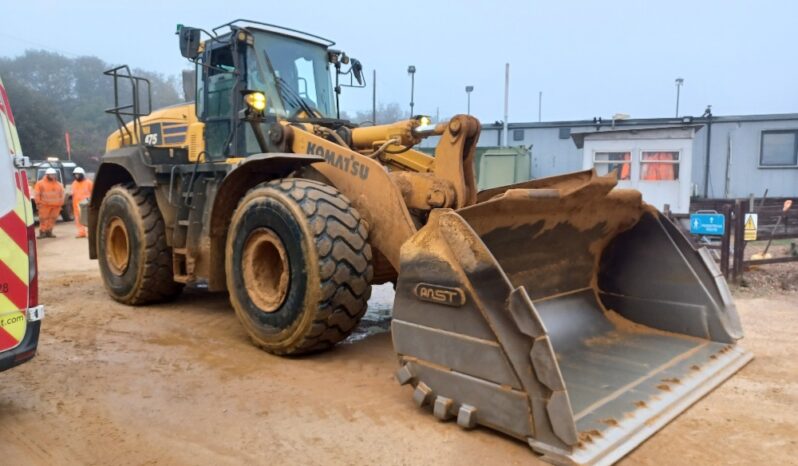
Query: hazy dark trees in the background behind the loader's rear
[51, 95]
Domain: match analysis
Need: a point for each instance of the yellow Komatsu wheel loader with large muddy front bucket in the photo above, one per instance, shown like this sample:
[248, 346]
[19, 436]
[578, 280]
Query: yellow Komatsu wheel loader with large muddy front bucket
[561, 311]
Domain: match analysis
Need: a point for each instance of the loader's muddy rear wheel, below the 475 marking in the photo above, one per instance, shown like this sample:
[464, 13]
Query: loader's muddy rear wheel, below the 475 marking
[135, 261]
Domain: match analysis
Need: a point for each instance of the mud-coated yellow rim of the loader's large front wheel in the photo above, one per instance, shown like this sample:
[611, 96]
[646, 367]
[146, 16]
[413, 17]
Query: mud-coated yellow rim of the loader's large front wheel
[266, 270]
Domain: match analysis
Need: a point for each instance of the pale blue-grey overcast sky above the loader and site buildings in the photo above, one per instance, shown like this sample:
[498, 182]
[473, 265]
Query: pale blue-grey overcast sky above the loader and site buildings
[589, 58]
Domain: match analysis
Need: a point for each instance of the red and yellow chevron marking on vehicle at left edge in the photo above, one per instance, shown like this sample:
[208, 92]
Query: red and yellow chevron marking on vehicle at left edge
[14, 266]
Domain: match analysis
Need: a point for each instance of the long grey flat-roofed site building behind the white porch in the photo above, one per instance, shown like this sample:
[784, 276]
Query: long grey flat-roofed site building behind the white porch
[733, 156]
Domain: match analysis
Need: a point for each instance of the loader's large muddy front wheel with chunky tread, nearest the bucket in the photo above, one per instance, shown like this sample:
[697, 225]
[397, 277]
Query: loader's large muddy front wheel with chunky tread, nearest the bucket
[298, 266]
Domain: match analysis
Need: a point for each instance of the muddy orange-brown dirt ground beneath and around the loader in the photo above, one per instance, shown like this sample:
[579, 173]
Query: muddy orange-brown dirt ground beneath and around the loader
[181, 384]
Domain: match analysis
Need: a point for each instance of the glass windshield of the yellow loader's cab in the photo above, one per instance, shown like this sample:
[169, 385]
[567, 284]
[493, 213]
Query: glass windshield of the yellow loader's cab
[296, 70]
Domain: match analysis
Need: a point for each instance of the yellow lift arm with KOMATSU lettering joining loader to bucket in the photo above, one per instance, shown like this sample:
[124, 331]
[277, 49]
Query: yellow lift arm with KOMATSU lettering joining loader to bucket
[413, 181]
